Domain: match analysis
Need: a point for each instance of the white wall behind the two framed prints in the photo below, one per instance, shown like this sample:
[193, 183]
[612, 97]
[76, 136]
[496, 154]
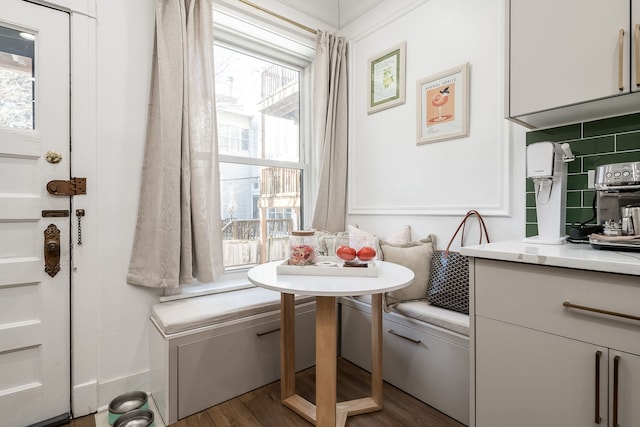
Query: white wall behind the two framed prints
[392, 180]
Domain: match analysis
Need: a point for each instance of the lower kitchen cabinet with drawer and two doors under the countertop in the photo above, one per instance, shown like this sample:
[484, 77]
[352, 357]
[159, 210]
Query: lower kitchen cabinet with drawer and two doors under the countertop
[537, 362]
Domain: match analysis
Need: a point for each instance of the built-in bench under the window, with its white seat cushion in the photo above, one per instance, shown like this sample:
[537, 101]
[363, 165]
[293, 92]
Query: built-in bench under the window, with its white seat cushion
[209, 349]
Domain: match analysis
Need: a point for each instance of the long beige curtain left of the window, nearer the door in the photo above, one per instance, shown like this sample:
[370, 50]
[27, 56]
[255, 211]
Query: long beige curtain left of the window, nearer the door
[178, 235]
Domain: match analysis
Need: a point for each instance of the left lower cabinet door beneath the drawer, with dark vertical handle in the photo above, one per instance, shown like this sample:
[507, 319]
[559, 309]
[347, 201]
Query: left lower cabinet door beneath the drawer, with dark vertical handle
[528, 378]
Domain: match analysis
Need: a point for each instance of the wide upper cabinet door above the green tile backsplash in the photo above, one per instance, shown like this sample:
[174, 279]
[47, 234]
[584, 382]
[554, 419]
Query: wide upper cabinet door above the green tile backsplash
[566, 52]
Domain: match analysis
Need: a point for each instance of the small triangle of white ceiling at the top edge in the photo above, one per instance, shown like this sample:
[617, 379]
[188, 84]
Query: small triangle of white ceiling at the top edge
[335, 13]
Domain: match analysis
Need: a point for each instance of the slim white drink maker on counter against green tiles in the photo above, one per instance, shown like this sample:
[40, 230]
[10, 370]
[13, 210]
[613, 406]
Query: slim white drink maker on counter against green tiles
[547, 168]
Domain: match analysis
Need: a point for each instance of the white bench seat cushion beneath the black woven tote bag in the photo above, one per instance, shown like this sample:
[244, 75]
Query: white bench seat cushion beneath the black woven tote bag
[426, 312]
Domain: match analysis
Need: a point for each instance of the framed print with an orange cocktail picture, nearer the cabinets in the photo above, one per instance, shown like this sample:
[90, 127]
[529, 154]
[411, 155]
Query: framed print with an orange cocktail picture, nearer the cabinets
[443, 105]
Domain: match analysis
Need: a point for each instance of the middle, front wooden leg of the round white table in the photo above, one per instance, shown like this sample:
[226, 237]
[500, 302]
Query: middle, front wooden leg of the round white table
[326, 363]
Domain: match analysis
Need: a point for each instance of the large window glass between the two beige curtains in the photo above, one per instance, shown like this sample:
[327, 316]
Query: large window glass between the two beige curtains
[261, 169]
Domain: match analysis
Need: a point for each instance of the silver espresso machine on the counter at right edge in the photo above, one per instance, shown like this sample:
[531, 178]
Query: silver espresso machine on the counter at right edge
[618, 205]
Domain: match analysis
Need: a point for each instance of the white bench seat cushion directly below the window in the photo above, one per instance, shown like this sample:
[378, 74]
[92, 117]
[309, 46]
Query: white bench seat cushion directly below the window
[186, 314]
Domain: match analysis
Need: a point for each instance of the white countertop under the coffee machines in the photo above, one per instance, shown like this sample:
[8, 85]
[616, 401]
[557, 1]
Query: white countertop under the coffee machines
[569, 255]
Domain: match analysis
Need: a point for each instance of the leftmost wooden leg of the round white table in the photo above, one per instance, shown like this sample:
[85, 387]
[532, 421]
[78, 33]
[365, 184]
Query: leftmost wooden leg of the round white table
[287, 346]
